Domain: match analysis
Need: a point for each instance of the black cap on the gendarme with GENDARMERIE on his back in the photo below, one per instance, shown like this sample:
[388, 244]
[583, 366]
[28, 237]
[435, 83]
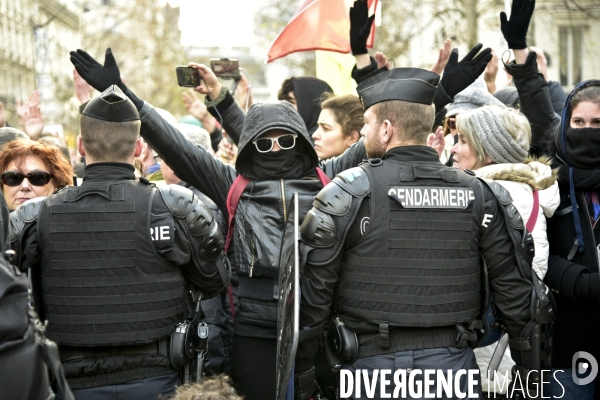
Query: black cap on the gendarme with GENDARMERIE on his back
[414, 85]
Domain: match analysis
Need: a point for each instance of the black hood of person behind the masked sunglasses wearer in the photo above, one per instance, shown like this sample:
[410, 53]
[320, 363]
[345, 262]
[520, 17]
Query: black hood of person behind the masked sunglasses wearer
[308, 91]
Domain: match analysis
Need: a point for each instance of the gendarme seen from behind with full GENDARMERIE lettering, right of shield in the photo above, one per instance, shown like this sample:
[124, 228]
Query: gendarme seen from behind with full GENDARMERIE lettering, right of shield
[396, 245]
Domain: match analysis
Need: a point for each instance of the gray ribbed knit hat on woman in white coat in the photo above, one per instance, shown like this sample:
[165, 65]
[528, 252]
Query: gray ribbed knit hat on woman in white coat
[497, 142]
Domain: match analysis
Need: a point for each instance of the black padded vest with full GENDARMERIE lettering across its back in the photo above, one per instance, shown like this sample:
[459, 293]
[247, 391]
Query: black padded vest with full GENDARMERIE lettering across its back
[418, 263]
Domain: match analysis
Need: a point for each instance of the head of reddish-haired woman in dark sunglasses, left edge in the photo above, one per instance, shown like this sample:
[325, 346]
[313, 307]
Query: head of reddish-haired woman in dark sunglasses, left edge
[31, 169]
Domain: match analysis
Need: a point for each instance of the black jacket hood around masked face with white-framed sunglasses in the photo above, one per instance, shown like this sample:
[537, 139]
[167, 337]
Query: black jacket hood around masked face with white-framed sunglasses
[264, 117]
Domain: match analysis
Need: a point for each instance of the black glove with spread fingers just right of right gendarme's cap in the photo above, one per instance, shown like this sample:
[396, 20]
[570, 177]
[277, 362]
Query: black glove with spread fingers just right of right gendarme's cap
[458, 75]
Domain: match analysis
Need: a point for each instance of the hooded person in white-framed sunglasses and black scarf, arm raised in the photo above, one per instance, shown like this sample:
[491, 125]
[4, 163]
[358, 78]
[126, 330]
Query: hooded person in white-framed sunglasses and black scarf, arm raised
[277, 158]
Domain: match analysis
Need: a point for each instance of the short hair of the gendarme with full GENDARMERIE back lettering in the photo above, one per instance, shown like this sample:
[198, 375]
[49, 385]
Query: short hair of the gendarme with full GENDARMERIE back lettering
[412, 120]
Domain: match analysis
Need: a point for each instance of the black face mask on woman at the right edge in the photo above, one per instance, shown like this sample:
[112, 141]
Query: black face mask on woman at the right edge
[583, 147]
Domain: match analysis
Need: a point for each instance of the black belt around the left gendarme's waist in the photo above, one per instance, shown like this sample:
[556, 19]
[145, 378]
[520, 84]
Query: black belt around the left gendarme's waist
[157, 348]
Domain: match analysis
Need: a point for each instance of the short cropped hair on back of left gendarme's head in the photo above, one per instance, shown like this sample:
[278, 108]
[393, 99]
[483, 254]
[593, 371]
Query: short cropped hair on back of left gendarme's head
[109, 141]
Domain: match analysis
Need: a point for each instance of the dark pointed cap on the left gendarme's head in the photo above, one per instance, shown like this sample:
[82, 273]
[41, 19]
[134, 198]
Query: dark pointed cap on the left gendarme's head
[112, 105]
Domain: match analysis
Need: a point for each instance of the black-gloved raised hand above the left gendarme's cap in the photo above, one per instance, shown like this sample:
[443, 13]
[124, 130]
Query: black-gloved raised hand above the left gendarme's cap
[100, 77]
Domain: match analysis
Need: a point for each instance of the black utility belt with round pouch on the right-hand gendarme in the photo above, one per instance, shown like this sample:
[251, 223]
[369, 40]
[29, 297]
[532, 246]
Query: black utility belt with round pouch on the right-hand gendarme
[344, 347]
